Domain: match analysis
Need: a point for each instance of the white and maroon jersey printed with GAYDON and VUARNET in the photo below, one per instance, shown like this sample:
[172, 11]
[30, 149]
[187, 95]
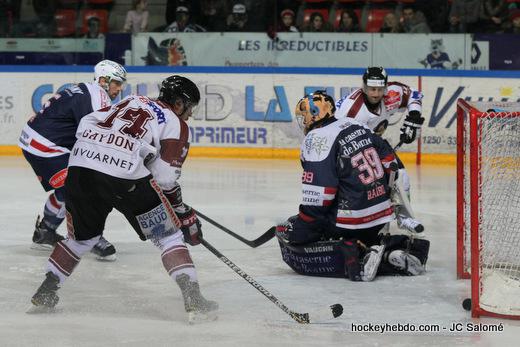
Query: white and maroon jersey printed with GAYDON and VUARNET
[116, 140]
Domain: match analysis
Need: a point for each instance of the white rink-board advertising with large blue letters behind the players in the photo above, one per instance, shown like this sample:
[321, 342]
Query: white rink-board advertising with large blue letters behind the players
[257, 110]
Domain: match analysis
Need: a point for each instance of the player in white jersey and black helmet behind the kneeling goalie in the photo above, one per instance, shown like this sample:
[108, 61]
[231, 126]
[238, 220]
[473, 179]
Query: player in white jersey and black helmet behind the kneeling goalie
[373, 105]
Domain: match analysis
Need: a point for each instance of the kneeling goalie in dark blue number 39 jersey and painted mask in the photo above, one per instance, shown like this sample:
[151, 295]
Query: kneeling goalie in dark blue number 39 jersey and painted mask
[346, 202]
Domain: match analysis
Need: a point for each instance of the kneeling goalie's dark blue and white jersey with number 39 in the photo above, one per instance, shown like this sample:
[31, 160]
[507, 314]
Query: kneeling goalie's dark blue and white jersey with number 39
[344, 177]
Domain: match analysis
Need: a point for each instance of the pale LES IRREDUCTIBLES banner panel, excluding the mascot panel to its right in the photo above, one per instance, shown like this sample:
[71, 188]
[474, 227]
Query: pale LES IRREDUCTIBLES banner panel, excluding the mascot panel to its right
[252, 49]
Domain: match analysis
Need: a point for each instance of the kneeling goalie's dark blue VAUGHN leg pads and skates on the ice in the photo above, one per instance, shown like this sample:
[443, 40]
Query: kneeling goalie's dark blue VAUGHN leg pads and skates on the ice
[400, 256]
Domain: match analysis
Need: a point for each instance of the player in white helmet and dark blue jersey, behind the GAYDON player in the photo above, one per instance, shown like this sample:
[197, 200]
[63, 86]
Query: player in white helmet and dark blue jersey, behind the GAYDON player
[48, 137]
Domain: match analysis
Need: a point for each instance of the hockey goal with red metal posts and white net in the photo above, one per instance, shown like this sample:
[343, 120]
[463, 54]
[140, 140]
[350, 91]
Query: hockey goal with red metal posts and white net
[488, 205]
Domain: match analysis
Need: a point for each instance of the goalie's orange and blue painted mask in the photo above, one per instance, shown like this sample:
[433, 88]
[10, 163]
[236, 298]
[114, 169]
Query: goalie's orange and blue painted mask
[314, 109]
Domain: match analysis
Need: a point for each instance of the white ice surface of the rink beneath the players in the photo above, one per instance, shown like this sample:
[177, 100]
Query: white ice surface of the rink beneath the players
[132, 302]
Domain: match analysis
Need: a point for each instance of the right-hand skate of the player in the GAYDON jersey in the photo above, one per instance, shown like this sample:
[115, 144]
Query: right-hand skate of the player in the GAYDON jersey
[198, 308]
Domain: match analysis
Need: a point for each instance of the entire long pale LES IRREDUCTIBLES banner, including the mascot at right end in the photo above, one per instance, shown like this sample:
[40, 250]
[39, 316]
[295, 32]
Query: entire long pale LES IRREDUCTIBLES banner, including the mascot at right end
[421, 51]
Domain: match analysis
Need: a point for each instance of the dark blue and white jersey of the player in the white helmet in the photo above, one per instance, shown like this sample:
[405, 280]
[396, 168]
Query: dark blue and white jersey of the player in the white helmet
[52, 131]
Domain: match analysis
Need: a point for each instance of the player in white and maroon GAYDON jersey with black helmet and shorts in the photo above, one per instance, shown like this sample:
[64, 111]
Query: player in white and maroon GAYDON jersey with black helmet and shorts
[129, 157]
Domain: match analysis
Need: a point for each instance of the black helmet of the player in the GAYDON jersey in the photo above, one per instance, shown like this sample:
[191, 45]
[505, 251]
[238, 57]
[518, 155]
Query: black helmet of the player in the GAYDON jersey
[177, 87]
